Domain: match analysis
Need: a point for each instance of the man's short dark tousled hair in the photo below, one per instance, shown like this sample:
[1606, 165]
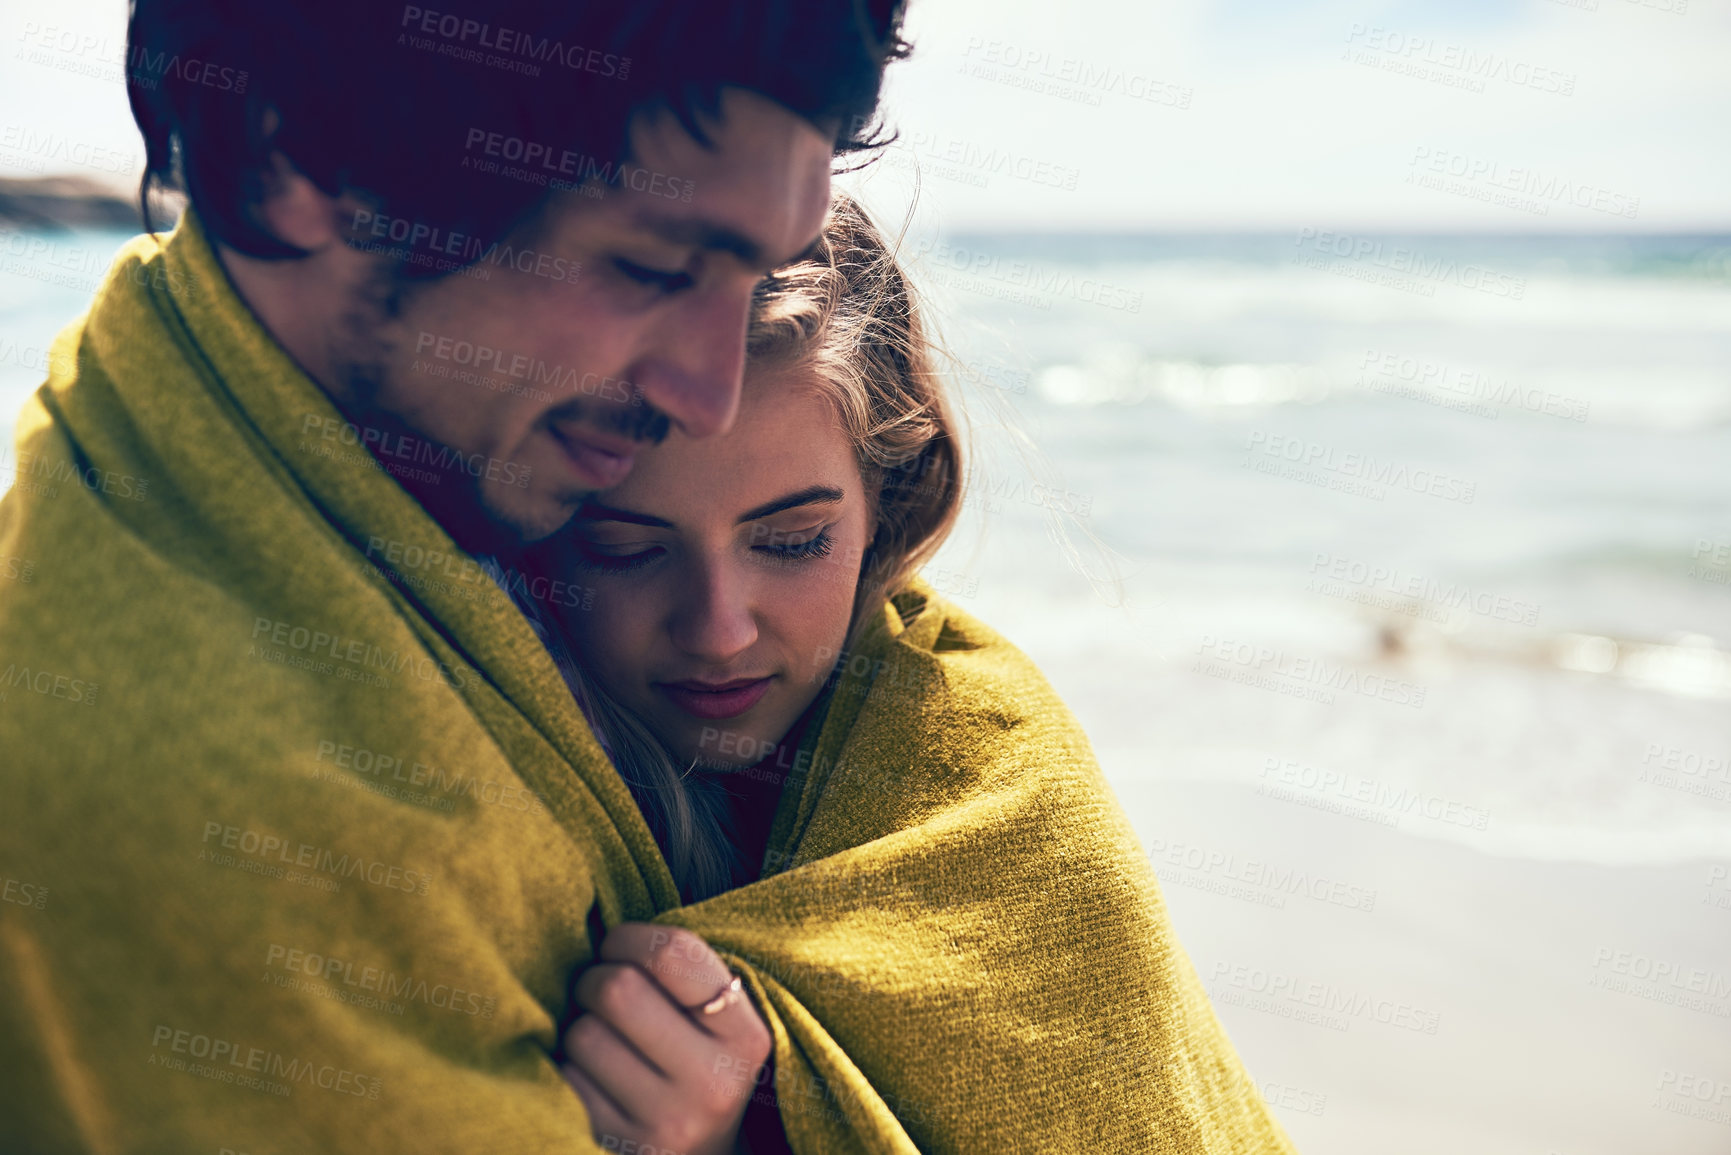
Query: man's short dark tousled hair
[465, 115]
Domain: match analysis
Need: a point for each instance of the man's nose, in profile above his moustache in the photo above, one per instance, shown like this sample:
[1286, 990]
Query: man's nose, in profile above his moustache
[697, 365]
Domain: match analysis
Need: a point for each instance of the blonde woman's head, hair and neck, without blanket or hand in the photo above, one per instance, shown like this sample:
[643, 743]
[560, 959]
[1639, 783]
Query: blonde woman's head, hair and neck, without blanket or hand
[731, 572]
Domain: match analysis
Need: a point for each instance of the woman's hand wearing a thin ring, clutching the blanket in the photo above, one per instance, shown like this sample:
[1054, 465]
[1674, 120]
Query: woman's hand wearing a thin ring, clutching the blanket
[647, 1059]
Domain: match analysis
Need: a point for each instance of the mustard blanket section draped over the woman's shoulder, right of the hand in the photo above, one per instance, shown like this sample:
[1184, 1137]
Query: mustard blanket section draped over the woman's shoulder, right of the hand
[965, 943]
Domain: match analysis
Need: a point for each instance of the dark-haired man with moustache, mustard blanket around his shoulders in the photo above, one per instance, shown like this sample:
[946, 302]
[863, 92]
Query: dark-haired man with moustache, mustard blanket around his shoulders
[302, 836]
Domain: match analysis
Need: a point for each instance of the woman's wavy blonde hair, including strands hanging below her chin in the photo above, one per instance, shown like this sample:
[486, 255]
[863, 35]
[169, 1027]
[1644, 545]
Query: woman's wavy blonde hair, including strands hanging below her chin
[847, 316]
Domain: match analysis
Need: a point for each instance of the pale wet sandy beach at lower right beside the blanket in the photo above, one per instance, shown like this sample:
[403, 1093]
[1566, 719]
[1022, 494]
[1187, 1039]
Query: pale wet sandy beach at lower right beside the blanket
[1483, 1005]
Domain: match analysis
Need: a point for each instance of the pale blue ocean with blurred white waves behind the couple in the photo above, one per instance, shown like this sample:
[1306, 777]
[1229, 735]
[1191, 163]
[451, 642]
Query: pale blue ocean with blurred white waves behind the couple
[1429, 531]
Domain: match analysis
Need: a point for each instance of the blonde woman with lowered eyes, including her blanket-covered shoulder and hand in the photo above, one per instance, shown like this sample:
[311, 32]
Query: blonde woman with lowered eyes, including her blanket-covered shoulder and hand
[833, 761]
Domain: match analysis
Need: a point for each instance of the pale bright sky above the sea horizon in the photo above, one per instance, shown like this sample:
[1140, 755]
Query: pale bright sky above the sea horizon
[1188, 115]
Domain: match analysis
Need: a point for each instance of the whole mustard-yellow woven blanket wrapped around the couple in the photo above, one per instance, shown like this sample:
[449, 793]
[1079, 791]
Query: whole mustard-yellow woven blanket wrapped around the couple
[304, 837]
